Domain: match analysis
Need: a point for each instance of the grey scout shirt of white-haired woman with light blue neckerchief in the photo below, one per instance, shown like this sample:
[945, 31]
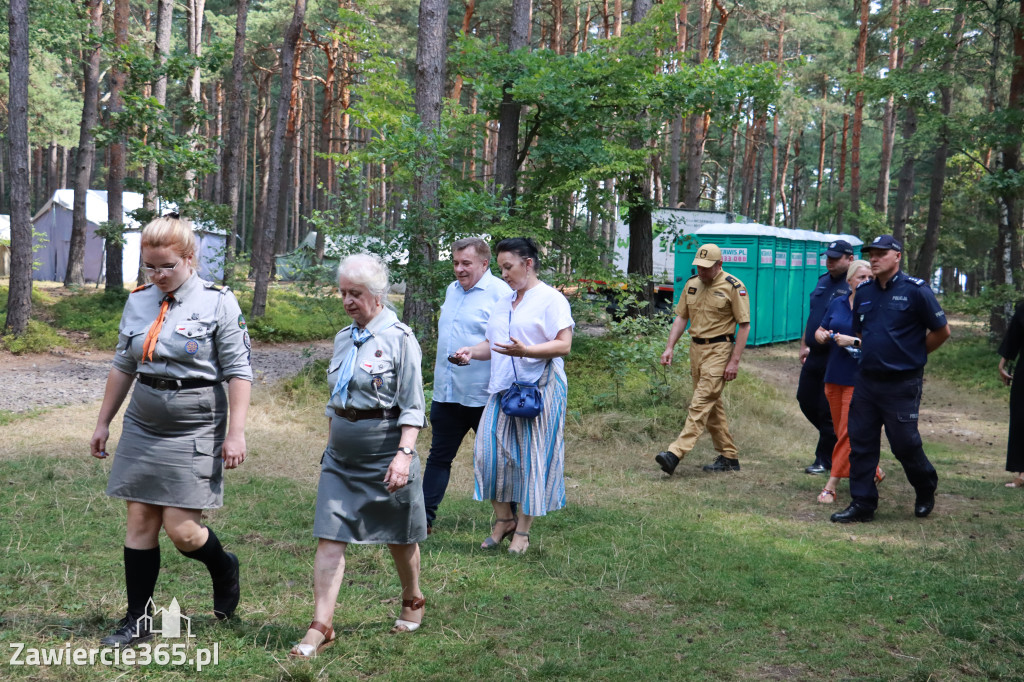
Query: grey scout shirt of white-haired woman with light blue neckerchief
[388, 371]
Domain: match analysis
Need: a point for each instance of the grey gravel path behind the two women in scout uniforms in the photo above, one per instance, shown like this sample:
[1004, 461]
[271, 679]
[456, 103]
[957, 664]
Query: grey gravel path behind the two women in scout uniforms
[63, 377]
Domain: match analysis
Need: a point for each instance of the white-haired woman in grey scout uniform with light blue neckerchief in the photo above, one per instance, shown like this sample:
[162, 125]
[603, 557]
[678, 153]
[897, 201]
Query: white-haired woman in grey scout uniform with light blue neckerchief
[370, 487]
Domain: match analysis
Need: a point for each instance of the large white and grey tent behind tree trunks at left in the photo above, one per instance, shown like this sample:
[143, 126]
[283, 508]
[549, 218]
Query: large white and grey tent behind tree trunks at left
[53, 228]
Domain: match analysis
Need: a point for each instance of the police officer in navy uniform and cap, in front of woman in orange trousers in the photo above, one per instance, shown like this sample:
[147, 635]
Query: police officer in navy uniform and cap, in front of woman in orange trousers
[900, 323]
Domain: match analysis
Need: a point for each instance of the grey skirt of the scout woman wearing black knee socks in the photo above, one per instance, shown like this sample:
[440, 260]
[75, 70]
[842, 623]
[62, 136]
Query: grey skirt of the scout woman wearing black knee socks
[169, 453]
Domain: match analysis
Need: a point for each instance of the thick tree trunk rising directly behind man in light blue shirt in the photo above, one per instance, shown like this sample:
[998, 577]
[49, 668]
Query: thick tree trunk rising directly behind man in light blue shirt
[431, 61]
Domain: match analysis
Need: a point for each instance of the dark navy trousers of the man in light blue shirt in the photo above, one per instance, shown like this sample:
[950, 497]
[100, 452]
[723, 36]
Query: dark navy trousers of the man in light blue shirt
[450, 422]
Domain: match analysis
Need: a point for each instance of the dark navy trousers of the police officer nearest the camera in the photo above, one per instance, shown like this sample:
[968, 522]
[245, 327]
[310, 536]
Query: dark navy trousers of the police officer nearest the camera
[892, 405]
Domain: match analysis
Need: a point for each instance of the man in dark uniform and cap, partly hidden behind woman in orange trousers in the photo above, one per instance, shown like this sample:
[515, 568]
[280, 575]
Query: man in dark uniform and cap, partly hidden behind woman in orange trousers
[815, 357]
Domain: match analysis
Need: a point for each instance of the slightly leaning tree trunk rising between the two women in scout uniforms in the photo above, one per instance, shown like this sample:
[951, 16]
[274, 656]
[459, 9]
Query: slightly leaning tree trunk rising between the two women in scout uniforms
[277, 161]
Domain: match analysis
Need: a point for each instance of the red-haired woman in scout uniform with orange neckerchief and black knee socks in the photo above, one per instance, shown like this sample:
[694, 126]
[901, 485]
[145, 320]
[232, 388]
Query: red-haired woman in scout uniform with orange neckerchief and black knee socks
[183, 337]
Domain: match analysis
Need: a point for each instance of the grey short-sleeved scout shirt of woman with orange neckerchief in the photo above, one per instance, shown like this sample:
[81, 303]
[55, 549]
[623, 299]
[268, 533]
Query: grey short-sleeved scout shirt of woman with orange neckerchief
[204, 335]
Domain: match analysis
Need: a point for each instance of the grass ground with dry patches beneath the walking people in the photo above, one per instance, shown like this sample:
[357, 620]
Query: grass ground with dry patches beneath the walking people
[699, 577]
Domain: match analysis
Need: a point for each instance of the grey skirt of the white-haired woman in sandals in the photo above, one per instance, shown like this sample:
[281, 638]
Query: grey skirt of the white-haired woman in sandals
[353, 502]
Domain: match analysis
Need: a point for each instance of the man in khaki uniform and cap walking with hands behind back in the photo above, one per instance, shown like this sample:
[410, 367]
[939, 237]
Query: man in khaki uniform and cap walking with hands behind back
[714, 303]
